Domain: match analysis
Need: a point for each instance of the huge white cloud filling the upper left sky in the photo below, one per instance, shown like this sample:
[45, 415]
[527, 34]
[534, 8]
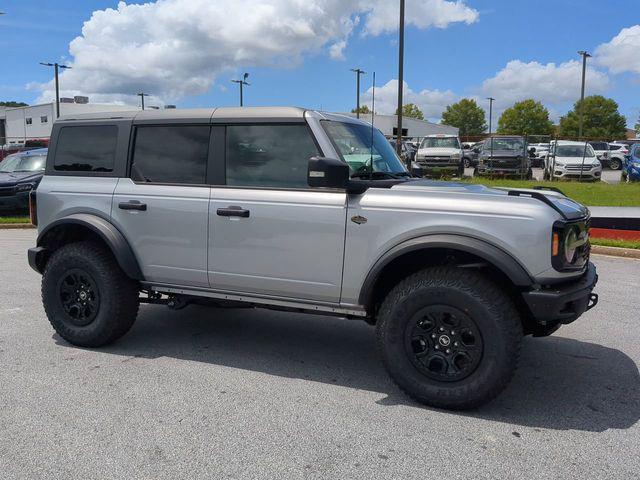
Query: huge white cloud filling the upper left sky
[174, 48]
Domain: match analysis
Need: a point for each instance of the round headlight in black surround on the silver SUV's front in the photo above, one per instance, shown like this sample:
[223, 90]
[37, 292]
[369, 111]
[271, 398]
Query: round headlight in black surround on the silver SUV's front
[570, 246]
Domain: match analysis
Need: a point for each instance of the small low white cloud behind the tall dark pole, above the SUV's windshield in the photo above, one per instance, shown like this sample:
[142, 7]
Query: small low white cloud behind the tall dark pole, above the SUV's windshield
[431, 102]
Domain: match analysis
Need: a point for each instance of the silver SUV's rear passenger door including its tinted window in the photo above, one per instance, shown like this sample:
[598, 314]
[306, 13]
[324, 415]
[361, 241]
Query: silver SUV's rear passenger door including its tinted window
[162, 206]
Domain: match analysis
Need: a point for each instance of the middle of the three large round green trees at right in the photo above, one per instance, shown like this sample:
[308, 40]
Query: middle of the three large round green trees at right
[525, 118]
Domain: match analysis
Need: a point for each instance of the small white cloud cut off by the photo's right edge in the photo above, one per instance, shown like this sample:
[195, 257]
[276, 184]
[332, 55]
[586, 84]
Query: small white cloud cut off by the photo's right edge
[622, 53]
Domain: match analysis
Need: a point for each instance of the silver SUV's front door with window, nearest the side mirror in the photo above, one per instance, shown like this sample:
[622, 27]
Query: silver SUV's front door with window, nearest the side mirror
[269, 233]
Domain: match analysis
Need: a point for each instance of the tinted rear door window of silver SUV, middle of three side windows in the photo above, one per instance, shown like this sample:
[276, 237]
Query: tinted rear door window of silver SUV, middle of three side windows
[171, 154]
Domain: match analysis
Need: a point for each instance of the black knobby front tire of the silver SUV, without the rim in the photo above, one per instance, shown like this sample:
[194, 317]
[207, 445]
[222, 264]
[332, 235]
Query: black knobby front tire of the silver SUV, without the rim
[484, 302]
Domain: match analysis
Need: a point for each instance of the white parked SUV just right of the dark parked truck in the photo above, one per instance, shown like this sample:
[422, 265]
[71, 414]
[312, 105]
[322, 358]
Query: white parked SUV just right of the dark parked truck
[572, 160]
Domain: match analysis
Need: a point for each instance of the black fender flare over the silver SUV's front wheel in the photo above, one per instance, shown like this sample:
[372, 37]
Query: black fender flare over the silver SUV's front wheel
[480, 248]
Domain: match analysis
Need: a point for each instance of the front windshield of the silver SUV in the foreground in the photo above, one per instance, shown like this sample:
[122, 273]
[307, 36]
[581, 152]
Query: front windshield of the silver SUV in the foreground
[353, 142]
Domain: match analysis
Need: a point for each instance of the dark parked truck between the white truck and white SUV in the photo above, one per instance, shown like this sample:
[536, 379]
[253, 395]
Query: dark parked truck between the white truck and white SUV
[504, 156]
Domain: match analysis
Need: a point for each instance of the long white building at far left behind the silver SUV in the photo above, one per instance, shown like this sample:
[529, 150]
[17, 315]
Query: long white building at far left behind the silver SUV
[18, 124]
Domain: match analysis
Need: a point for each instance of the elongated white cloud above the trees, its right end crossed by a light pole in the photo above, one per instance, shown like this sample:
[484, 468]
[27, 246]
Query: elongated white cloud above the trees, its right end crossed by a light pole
[550, 83]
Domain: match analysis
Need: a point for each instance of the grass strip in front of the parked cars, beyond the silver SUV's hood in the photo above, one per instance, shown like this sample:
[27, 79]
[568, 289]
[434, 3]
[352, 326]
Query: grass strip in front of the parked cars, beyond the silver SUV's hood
[595, 194]
